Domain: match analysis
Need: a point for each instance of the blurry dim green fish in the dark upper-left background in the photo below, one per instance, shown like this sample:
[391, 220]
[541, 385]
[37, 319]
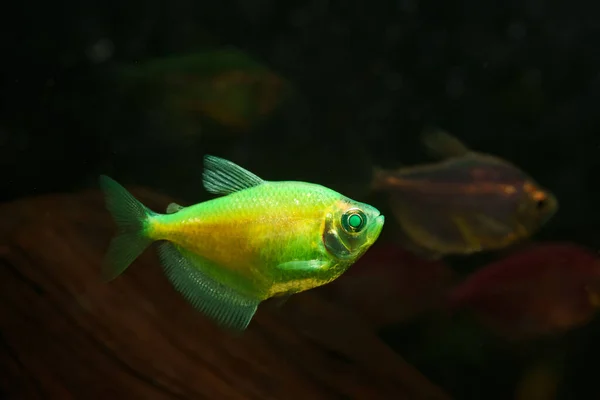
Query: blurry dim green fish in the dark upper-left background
[225, 86]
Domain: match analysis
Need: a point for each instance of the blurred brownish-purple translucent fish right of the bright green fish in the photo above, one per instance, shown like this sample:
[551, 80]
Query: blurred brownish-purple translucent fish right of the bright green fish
[468, 202]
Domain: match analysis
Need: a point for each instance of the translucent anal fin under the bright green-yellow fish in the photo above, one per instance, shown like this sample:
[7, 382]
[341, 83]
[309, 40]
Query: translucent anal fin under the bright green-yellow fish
[222, 304]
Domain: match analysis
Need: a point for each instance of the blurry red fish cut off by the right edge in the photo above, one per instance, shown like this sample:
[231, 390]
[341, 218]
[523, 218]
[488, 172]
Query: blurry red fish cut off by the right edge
[543, 289]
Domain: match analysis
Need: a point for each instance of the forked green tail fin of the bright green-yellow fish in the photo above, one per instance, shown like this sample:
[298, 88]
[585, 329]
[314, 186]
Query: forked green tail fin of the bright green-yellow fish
[131, 217]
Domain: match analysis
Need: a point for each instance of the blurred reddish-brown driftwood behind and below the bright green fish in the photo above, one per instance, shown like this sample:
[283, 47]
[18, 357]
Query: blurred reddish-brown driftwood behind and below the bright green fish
[65, 334]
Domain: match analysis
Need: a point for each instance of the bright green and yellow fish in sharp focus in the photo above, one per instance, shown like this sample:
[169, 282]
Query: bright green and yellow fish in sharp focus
[263, 239]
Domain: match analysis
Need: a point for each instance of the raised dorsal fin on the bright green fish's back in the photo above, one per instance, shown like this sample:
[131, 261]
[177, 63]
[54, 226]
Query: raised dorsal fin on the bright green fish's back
[224, 177]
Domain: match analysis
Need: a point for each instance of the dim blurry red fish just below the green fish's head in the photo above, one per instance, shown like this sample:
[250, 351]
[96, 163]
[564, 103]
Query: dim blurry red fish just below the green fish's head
[389, 284]
